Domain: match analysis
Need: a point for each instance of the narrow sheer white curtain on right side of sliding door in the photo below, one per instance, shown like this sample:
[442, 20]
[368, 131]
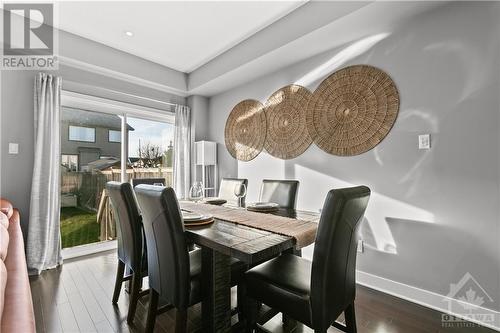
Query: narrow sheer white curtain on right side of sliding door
[182, 151]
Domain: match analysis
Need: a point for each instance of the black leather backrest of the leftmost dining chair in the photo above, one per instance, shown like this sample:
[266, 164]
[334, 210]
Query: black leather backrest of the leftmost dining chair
[128, 224]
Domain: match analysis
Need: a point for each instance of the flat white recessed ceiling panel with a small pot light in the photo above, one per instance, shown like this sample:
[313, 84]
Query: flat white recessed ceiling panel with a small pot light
[180, 35]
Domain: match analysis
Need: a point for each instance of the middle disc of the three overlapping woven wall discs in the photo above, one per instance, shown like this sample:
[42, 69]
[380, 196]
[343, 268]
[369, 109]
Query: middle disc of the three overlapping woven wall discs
[287, 136]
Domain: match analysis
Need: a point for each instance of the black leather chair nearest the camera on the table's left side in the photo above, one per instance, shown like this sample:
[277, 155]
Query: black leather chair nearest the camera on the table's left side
[174, 272]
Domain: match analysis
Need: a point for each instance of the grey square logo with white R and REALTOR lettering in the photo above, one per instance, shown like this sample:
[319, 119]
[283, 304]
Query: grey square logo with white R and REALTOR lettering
[28, 34]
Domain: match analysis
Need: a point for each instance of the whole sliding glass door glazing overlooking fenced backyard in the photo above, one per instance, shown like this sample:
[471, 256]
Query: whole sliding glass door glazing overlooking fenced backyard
[92, 146]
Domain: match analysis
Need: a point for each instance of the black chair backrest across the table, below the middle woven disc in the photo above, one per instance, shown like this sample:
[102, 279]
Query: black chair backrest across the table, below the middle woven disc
[282, 192]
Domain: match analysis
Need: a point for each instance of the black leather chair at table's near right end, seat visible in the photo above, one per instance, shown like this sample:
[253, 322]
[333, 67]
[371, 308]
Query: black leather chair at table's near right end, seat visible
[314, 293]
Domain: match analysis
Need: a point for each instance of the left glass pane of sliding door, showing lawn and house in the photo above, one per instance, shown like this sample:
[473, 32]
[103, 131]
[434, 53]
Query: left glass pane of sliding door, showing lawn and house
[90, 156]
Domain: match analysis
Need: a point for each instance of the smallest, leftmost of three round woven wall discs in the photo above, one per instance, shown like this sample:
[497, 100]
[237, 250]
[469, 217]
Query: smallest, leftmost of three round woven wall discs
[245, 131]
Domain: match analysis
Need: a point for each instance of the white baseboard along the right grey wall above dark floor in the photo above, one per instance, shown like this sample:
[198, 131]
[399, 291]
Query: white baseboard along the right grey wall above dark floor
[423, 297]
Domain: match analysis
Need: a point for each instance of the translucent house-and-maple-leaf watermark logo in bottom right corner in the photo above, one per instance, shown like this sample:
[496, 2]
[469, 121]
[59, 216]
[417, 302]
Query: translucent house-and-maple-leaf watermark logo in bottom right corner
[465, 303]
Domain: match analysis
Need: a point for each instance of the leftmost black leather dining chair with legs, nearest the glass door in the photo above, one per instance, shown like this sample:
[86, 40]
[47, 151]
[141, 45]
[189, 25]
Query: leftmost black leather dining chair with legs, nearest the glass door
[131, 246]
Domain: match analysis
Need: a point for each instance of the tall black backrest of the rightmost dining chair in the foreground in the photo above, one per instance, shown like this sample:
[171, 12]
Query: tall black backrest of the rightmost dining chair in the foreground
[333, 283]
